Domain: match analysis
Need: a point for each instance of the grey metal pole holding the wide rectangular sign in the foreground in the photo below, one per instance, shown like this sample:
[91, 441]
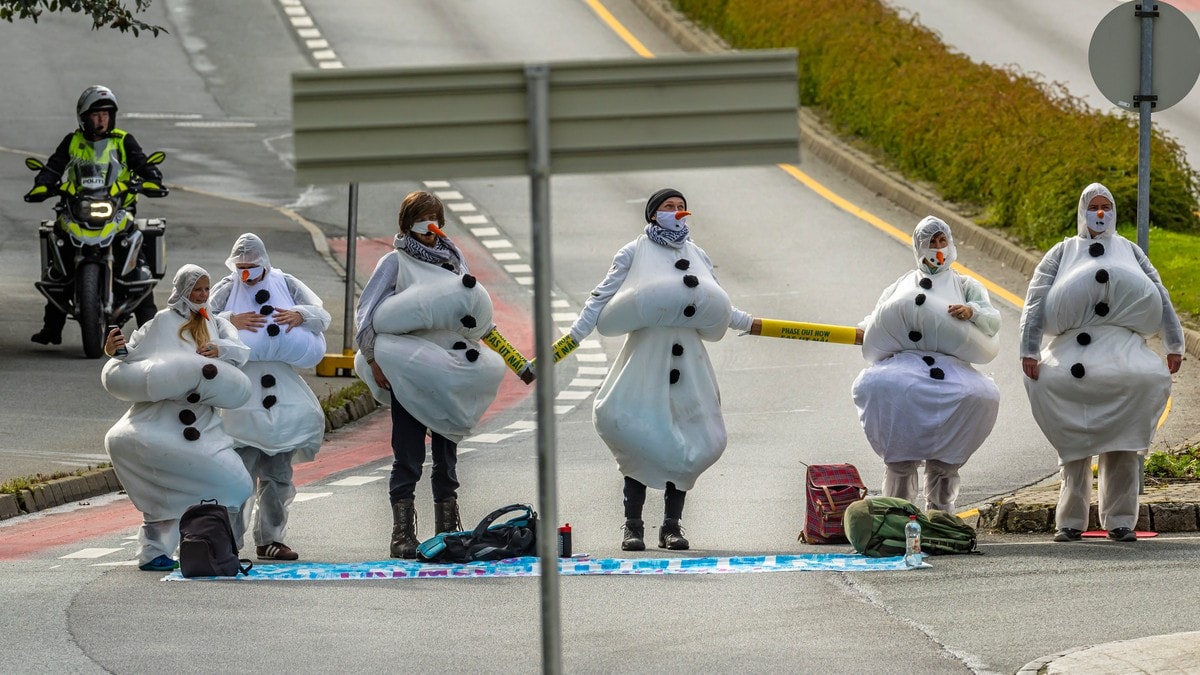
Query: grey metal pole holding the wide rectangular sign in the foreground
[538, 82]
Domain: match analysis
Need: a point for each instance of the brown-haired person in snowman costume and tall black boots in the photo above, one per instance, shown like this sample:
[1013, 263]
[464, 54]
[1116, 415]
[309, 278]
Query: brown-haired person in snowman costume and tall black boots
[421, 322]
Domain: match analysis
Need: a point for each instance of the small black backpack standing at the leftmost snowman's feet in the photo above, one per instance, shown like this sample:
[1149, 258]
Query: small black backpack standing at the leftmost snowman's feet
[206, 543]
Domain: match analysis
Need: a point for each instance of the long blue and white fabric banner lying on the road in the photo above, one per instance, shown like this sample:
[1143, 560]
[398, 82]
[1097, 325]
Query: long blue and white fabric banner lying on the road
[578, 566]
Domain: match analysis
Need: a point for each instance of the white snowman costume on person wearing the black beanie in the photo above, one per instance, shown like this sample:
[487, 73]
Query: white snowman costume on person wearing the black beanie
[659, 409]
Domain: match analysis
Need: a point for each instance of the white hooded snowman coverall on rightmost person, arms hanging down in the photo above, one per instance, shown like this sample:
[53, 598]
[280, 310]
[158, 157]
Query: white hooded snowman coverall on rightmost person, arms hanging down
[1101, 390]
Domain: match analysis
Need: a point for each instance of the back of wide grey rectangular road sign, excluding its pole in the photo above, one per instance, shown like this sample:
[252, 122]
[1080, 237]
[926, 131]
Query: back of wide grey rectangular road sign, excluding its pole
[605, 116]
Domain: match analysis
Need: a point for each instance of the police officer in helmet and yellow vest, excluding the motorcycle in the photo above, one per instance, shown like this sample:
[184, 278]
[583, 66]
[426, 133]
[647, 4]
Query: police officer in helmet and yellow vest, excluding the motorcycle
[97, 112]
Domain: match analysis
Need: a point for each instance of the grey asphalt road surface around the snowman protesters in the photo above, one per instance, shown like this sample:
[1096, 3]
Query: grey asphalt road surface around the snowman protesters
[782, 250]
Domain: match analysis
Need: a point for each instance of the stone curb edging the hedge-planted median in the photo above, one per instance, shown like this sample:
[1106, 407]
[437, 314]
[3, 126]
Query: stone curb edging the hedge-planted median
[824, 144]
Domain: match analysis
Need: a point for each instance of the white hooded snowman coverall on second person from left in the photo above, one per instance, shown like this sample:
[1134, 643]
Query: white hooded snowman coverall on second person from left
[283, 423]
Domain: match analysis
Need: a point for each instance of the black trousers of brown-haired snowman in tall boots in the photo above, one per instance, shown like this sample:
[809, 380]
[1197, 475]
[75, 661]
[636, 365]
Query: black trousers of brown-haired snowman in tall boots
[409, 451]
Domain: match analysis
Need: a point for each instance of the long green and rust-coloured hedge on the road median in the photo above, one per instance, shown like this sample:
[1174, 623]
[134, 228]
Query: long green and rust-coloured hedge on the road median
[1016, 148]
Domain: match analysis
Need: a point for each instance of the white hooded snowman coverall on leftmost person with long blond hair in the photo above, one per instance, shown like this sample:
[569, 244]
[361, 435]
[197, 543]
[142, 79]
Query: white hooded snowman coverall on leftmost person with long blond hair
[170, 450]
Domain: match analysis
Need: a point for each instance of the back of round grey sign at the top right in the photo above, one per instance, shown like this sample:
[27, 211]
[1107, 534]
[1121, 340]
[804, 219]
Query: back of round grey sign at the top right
[1115, 56]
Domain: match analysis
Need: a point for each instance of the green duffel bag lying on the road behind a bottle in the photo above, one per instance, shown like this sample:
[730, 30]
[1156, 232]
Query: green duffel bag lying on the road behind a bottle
[875, 528]
